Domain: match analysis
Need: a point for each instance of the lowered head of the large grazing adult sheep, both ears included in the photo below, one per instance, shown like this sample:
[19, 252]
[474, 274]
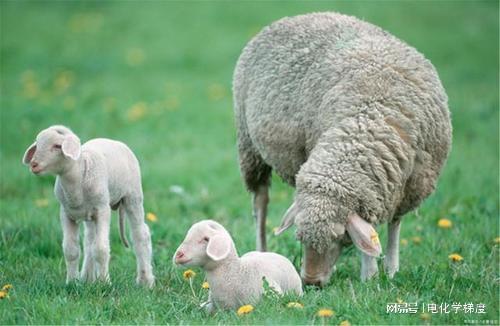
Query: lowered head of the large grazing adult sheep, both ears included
[322, 237]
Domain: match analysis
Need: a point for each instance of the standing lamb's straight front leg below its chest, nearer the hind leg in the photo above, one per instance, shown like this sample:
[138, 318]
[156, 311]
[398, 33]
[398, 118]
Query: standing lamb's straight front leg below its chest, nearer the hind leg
[101, 246]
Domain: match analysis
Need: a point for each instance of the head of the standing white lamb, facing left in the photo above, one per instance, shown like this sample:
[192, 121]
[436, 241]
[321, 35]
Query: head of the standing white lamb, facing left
[54, 148]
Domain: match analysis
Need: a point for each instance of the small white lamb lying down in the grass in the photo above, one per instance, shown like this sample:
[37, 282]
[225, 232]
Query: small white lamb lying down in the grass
[234, 281]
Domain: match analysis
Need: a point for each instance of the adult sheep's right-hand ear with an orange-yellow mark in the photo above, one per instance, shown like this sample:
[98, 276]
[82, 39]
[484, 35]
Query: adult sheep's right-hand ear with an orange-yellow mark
[363, 235]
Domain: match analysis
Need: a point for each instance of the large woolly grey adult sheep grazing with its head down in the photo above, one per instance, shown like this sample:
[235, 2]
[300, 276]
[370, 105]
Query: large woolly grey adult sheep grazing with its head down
[355, 119]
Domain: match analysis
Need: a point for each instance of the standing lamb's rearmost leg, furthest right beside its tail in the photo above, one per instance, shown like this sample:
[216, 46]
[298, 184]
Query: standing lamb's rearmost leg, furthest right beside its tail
[142, 241]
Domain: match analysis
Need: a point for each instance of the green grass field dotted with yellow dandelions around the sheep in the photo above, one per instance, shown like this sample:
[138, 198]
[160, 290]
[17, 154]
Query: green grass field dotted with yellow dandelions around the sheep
[157, 75]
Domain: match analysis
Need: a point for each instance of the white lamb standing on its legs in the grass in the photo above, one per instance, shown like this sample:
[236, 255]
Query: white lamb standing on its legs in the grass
[92, 179]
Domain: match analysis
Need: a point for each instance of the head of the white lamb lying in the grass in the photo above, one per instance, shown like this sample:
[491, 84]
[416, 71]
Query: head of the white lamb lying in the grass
[206, 244]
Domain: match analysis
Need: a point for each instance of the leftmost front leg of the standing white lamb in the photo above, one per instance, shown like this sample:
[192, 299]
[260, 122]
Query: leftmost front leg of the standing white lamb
[71, 246]
